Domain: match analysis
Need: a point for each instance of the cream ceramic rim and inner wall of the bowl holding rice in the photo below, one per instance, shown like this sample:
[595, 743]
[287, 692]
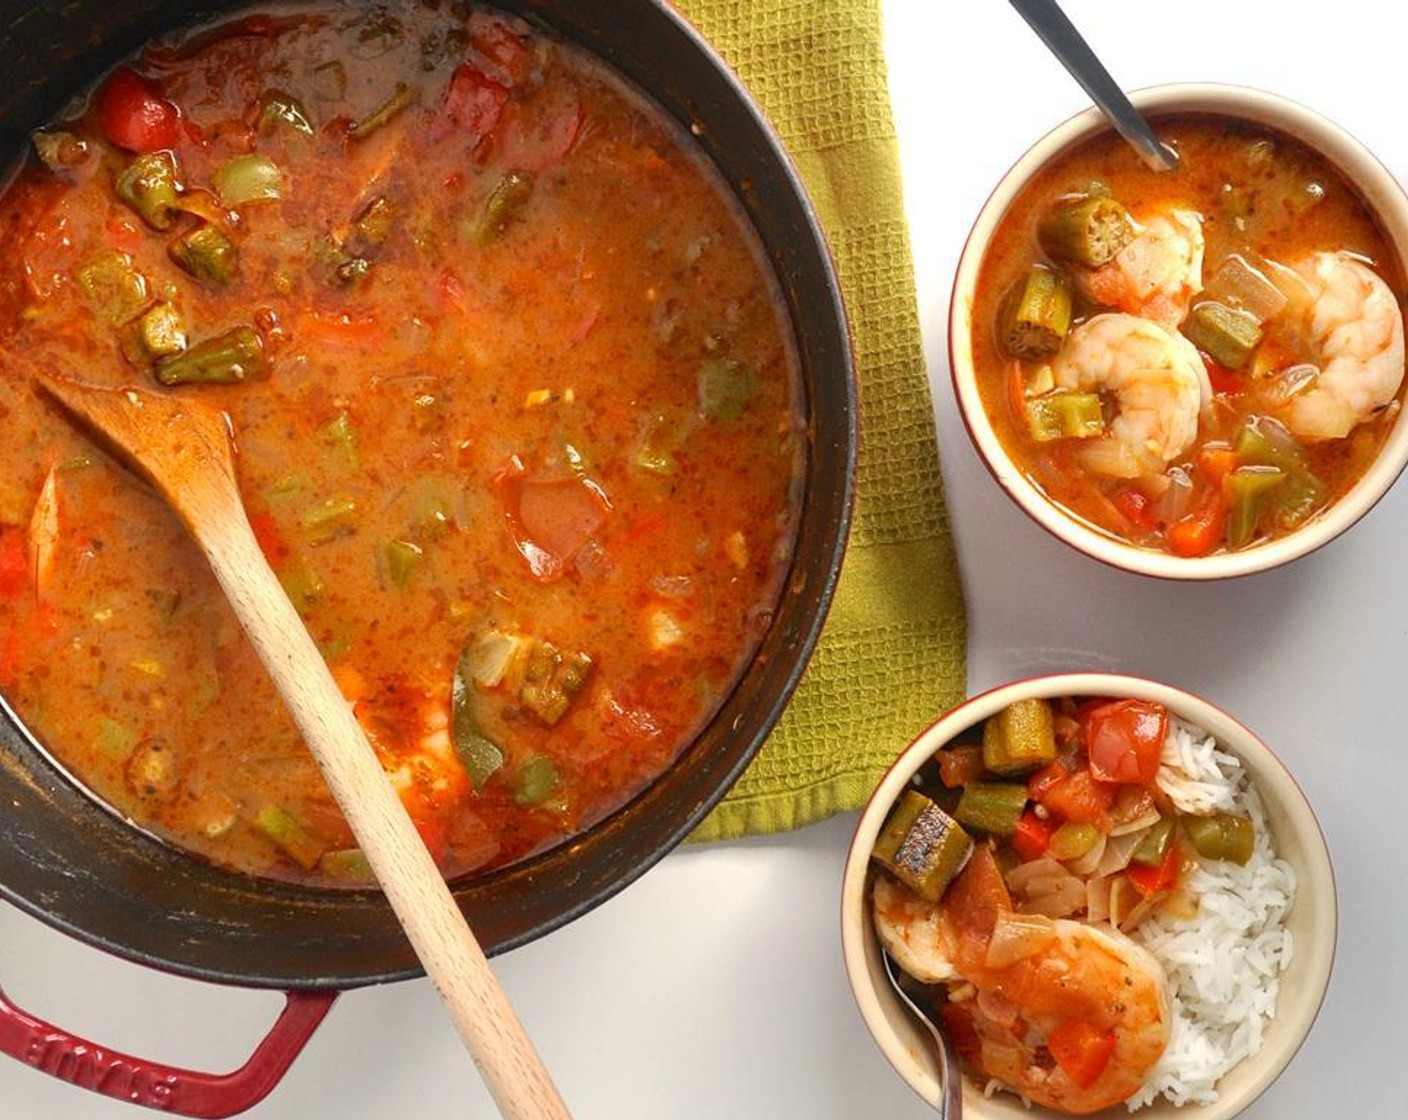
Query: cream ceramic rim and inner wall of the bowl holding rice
[1299, 840]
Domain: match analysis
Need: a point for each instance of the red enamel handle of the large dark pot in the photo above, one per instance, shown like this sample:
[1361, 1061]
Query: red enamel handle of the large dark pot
[168, 1088]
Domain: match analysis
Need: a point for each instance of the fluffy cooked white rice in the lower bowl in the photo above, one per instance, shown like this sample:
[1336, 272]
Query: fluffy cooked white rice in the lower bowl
[1224, 963]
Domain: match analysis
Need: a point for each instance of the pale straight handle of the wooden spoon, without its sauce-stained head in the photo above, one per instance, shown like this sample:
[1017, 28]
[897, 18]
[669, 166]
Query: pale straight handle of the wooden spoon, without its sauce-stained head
[408, 874]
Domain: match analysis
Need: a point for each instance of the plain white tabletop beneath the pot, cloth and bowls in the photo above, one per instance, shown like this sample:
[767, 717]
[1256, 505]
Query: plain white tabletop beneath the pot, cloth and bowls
[715, 988]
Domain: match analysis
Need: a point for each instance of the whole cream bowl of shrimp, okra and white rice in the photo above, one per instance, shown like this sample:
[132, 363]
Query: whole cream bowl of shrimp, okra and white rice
[1112, 894]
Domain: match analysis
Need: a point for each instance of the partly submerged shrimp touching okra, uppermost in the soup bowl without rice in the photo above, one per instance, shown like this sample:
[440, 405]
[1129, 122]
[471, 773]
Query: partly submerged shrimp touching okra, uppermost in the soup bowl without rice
[1158, 274]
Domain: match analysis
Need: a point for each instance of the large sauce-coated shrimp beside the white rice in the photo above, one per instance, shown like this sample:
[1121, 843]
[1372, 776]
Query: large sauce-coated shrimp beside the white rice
[1069, 1015]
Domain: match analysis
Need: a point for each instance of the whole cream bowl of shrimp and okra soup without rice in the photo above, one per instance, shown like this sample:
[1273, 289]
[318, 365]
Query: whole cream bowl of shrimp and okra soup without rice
[1193, 374]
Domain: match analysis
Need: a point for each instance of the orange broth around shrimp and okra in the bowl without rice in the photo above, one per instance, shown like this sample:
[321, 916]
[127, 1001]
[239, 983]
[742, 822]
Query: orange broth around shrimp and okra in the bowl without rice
[1262, 197]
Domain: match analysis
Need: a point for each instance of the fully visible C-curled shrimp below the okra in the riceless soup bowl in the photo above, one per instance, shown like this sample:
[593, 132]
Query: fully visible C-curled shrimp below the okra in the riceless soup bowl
[1159, 385]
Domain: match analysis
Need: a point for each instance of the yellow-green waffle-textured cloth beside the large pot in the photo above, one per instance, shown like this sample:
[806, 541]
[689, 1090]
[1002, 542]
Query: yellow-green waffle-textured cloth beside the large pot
[892, 656]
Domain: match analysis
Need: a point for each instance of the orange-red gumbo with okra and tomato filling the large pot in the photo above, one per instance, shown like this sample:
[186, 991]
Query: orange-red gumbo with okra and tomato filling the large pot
[517, 416]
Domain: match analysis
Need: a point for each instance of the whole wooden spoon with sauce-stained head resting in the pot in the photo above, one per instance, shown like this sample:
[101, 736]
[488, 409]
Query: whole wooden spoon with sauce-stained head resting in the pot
[185, 450]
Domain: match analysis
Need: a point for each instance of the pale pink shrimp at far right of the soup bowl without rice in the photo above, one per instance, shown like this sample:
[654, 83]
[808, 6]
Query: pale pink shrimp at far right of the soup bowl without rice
[1357, 326]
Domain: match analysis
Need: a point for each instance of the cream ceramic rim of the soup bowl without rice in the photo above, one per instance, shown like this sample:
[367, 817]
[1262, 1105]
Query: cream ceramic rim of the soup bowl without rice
[1378, 188]
